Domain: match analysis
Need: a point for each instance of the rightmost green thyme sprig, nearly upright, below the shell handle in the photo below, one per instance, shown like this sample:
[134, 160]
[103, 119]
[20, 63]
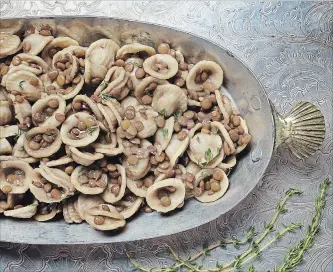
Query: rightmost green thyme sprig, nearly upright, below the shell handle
[295, 254]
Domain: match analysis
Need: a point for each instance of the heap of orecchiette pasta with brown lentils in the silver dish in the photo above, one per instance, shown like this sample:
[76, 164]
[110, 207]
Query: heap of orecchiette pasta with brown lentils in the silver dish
[99, 133]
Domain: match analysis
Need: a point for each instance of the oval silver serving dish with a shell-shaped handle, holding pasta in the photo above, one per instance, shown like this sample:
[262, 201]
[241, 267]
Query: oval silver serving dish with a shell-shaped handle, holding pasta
[248, 95]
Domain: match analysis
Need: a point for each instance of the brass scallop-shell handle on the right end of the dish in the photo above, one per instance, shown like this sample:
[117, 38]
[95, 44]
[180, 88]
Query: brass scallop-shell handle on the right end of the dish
[303, 129]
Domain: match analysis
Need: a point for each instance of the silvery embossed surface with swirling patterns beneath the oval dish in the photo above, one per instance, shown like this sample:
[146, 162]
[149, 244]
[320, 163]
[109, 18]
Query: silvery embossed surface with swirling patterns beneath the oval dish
[288, 44]
